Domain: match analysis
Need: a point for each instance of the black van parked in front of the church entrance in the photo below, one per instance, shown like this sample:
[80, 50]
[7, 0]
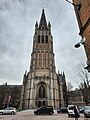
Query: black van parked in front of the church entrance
[44, 110]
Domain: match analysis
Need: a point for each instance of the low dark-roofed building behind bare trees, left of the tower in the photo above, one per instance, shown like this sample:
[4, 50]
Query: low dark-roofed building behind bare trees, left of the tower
[9, 95]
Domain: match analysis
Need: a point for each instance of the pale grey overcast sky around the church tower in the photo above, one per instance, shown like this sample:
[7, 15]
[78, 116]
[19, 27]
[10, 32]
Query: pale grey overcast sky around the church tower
[17, 27]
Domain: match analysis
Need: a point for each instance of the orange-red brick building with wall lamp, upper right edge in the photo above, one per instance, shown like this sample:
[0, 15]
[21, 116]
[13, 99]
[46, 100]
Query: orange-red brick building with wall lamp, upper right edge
[83, 18]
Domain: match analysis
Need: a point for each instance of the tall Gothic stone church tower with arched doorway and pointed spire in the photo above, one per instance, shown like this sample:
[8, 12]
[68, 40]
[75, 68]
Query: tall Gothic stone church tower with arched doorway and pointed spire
[41, 85]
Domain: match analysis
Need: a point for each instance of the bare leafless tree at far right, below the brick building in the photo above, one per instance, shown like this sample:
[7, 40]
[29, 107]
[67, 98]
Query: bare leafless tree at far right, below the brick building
[84, 82]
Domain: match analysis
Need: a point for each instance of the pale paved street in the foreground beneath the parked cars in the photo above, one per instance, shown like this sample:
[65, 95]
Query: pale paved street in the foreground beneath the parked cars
[28, 115]
